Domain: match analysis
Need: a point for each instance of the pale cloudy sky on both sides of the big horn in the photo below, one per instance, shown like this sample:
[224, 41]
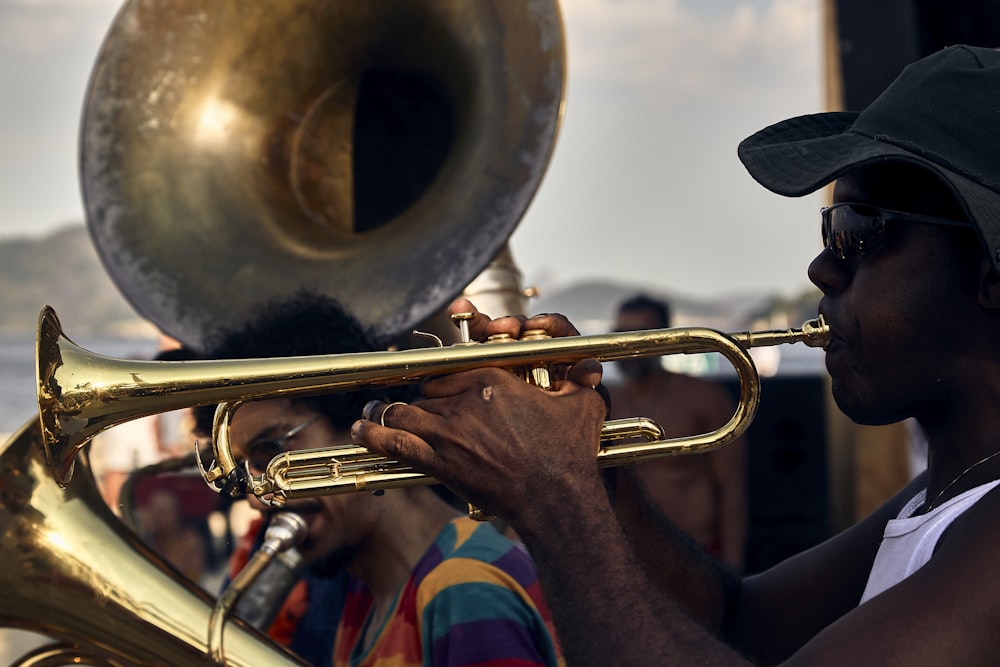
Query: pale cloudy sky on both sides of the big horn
[644, 185]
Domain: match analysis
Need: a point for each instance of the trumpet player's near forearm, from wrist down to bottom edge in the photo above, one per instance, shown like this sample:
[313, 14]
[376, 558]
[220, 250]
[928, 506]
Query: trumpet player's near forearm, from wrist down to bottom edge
[606, 610]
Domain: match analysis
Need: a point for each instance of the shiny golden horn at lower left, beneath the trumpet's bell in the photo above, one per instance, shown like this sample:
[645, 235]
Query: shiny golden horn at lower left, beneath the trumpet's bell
[70, 569]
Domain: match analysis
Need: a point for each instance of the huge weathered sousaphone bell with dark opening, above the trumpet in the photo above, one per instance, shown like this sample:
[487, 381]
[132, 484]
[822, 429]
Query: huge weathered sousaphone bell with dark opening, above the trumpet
[378, 151]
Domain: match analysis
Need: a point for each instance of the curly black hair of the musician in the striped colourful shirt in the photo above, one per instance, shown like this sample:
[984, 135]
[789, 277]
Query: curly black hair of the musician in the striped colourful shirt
[304, 324]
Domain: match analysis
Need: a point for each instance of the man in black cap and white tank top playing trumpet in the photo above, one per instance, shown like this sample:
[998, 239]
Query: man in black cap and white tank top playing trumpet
[910, 276]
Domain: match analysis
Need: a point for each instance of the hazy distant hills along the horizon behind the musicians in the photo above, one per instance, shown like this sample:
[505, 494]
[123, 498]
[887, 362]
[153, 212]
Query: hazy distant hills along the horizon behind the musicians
[64, 271]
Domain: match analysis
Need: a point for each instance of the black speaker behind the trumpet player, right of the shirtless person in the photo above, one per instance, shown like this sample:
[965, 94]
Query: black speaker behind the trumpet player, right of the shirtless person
[787, 473]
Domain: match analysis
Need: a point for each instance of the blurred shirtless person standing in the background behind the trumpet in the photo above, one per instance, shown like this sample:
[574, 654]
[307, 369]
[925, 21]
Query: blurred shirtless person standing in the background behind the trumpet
[704, 495]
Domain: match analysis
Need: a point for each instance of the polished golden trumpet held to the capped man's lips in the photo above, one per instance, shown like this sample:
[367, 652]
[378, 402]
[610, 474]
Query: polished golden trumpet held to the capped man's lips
[82, 393]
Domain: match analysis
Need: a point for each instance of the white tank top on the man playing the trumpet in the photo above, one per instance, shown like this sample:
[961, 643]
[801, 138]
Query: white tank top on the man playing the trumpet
[909, 541]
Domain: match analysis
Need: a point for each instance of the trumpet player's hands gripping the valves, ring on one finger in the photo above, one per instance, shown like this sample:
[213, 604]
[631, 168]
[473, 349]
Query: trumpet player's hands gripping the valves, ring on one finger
[497, 441]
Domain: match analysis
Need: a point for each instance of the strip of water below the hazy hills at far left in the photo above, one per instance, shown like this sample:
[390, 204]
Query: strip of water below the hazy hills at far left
[18, 402]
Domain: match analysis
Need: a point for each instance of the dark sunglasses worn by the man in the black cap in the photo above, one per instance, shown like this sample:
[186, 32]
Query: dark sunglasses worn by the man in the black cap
[851, 229]
